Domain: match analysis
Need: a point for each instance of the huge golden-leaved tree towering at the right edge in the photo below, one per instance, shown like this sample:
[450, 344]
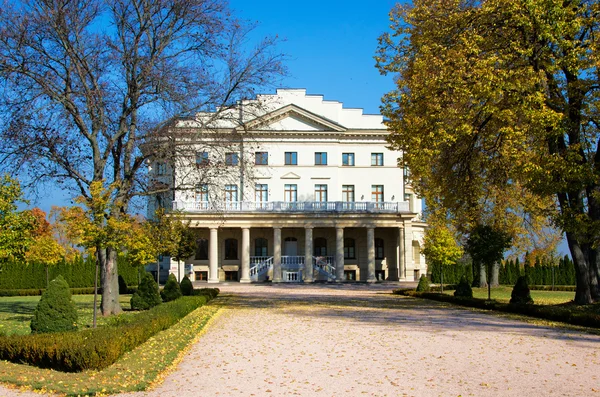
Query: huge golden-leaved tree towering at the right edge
[495, 111]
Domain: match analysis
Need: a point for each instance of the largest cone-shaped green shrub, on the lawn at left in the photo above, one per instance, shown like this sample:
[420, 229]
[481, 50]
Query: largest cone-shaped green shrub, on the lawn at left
[55, 311]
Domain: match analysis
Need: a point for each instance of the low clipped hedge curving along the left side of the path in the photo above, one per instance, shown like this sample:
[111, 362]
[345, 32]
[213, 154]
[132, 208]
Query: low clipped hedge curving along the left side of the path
[96, 348]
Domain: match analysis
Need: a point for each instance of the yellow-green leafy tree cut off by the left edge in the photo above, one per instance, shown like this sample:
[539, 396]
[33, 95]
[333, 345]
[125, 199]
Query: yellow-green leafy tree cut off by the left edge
[15, 226]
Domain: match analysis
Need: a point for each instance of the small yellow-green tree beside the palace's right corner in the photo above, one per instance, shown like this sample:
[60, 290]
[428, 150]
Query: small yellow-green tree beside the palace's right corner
[440, 248]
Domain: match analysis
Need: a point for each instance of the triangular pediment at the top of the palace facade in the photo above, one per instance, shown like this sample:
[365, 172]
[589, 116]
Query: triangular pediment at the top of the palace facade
[292, 118]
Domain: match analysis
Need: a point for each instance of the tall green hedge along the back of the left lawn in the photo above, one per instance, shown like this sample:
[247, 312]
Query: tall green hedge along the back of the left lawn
[78, 272]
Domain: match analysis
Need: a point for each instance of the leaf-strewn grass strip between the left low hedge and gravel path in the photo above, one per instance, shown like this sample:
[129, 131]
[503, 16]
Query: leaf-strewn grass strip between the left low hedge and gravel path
[134, 371]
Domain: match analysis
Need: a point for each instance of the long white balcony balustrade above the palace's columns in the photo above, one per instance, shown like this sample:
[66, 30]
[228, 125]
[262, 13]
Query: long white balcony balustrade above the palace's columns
[297, 206]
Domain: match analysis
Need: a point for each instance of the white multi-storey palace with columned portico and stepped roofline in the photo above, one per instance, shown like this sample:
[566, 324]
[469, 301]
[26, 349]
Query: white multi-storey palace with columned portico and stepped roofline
[291, 188]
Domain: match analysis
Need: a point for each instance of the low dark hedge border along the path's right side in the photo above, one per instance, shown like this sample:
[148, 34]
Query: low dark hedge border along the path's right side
[564, 314]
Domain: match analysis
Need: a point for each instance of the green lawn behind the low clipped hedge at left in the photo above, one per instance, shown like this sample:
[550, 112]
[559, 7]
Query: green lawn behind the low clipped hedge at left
[16, 312]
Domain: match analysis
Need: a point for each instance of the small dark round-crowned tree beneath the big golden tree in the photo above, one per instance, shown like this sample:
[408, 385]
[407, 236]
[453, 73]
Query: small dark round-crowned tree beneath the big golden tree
[486, 245]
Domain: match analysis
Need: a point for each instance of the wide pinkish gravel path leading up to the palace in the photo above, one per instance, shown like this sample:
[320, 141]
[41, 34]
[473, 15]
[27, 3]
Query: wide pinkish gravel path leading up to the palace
[357, 340]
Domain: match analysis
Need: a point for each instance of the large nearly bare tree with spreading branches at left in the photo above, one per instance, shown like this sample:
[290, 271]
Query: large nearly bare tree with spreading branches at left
[88, 83]
